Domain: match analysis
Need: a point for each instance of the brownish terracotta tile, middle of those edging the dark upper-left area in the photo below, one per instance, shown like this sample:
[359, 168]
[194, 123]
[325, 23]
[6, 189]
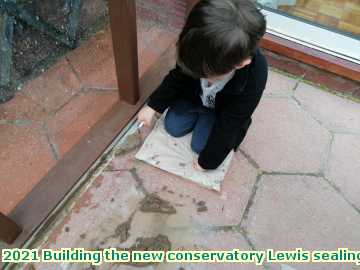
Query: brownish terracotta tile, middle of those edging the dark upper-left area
[53, 88]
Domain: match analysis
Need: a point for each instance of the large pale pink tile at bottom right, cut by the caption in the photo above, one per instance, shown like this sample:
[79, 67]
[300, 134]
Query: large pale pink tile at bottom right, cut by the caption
[291, 212]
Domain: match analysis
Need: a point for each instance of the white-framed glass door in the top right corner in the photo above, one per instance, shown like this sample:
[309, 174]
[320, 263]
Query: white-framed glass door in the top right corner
[331, 26]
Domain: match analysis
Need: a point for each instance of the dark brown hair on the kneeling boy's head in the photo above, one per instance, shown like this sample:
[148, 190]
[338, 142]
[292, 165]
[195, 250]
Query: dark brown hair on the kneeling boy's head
[218, 35]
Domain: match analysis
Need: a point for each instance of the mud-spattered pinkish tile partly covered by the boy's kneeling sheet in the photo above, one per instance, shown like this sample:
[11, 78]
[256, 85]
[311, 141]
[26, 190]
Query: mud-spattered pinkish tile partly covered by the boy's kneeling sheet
[198, 206]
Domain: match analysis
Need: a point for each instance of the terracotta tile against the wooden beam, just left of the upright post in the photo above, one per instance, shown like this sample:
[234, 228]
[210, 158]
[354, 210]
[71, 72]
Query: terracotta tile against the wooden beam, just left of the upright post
[75, 119]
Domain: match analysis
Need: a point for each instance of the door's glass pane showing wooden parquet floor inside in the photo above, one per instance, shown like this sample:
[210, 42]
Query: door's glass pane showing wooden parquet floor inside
[338, 15]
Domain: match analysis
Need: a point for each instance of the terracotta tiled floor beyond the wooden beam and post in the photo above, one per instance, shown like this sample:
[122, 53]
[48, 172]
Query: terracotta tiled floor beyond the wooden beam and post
[52, 112]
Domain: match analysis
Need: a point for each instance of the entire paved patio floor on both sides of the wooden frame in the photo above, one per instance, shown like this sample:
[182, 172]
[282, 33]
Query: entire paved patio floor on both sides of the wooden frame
[294, 183]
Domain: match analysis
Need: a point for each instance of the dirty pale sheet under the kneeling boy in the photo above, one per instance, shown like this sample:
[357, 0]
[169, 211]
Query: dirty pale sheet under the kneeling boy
[175, 156]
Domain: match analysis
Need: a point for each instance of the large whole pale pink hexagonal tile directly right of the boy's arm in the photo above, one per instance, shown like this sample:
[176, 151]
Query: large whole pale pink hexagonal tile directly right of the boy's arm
[284, 138]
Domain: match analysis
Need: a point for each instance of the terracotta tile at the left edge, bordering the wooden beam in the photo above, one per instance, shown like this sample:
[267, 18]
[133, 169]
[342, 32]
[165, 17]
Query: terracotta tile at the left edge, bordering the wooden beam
[25, 158]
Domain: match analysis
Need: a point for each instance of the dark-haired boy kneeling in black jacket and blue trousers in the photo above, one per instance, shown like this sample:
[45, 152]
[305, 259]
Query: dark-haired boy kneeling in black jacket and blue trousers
[218, 80]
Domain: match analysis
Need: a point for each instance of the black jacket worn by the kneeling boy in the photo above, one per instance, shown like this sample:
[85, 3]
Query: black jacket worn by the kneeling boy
[234, 105]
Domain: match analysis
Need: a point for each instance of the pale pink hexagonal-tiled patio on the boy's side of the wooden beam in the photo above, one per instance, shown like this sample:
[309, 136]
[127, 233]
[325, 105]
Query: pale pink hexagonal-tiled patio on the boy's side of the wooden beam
[294, 183]
